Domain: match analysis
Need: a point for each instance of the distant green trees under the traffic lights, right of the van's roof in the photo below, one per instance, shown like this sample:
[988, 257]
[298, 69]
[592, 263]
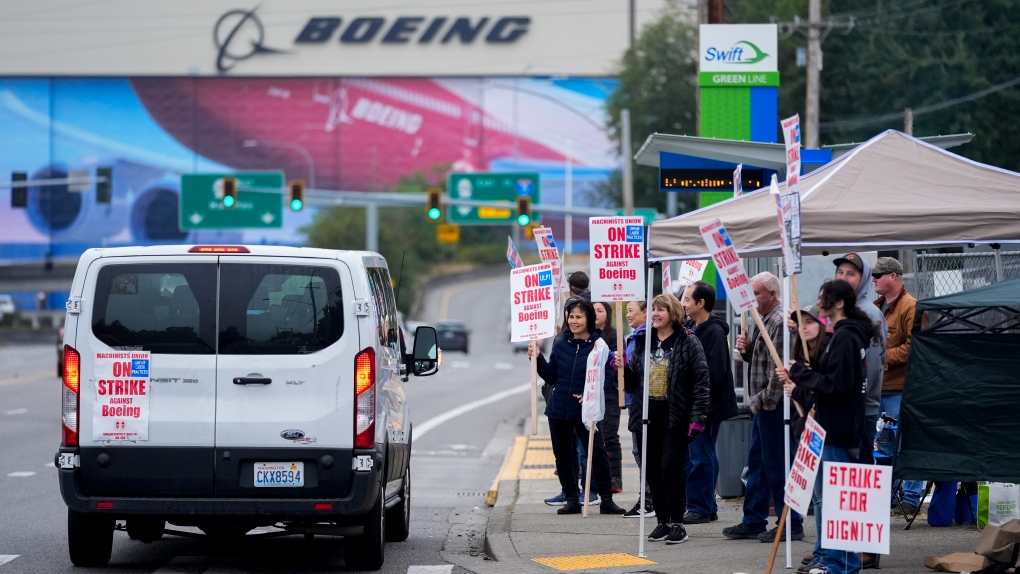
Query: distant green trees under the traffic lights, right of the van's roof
[406, 236]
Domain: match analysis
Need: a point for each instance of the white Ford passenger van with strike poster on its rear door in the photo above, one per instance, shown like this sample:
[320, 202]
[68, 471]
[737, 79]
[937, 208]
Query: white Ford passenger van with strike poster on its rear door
[228, 388]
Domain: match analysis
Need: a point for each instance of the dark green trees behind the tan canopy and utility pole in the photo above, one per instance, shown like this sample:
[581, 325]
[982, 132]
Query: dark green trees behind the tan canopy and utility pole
[908, 54]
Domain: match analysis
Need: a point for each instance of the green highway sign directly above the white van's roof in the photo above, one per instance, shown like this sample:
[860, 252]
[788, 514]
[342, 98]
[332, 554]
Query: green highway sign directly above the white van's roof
[201, 206]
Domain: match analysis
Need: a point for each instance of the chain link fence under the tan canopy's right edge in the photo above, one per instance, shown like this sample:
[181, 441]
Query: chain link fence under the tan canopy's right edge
[944, 274]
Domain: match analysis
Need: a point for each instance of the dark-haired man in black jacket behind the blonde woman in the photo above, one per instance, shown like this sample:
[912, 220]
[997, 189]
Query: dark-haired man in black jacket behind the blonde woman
[703, 468]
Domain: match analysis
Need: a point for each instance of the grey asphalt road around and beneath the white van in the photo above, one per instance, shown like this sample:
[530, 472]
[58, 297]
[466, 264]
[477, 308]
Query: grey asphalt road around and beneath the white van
[465, 420]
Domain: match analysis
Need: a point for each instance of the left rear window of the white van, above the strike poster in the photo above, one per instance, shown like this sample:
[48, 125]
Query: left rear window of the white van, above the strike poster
[159, 307]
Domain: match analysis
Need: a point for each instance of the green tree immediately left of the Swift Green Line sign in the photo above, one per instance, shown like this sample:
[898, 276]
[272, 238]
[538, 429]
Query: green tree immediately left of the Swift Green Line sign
[657, 83]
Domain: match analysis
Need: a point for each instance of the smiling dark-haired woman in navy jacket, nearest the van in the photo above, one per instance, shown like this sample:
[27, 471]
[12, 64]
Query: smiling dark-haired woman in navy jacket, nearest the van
[566, 371]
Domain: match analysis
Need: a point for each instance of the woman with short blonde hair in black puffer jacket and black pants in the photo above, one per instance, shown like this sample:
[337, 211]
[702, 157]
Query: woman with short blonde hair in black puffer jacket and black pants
[678, 408]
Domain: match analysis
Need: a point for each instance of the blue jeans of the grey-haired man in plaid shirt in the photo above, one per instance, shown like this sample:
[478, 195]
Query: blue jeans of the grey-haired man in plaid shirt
[768, 473]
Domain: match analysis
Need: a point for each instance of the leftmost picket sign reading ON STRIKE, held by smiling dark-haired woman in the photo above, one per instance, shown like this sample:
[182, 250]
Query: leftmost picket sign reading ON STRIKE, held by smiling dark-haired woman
[533, 307]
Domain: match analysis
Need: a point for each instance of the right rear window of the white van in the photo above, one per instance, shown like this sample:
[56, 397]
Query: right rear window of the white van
[279, 309]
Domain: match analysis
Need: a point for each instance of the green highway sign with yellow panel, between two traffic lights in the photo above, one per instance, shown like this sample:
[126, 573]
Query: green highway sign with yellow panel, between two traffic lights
[491, 187]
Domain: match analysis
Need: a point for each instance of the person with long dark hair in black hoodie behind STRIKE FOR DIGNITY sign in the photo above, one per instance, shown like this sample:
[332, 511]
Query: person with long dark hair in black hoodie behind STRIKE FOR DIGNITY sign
[839, 381]
